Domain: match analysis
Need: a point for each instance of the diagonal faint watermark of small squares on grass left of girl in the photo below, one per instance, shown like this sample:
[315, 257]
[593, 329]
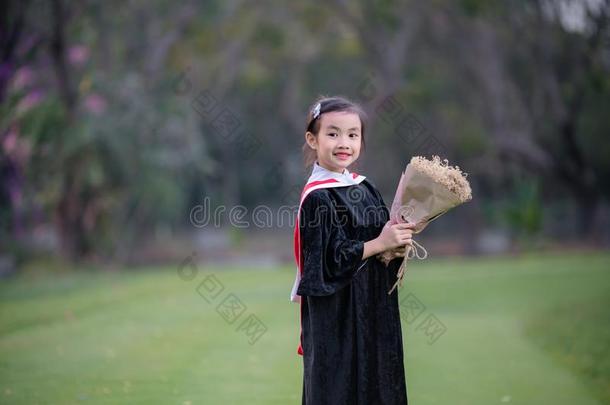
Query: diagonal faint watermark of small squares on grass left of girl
[229, 306]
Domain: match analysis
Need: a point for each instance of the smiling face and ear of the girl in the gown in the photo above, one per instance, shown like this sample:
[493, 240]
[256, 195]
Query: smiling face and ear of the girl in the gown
[338, 141]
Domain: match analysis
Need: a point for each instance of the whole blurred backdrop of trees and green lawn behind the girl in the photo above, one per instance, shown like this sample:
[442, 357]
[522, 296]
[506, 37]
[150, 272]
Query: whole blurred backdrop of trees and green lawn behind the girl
[133, 134]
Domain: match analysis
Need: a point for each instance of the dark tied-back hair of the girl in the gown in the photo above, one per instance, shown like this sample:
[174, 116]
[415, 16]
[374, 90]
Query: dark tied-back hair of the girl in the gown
[330, 104]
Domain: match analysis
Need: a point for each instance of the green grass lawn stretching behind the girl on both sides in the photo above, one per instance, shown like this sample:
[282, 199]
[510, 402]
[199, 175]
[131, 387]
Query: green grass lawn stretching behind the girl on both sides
[525, 330]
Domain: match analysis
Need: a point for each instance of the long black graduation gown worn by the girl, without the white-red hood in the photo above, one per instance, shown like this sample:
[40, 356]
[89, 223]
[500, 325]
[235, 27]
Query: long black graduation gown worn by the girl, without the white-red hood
[351, 332]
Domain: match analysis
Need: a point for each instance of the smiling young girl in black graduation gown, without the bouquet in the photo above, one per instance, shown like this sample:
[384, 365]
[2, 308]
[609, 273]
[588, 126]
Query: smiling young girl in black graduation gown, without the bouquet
[351, 337]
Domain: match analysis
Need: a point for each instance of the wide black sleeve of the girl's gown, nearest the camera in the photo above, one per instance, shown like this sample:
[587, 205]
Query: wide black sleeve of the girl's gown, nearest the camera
[330, 258]
